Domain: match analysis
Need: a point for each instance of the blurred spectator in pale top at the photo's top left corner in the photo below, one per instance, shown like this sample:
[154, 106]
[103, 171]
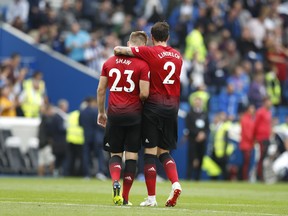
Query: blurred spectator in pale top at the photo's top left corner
[17, 13]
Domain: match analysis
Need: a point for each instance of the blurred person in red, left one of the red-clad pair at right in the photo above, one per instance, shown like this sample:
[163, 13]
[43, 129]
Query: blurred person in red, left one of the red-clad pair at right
[246, 144]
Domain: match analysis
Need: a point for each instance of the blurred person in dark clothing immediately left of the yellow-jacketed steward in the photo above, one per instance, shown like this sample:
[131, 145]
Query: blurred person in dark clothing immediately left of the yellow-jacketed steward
[59, 145]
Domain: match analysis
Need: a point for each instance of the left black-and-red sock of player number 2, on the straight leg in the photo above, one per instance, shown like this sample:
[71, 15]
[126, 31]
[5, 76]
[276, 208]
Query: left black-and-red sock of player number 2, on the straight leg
[150, 173]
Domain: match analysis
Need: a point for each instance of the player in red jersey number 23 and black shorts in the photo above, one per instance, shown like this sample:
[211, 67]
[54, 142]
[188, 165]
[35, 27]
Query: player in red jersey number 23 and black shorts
[128, 81]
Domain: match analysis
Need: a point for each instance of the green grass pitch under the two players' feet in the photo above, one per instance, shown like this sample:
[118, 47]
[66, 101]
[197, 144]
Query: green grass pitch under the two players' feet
[67, 196]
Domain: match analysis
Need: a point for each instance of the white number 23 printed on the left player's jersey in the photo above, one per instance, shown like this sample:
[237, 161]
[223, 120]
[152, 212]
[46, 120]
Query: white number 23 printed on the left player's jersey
[115, 86]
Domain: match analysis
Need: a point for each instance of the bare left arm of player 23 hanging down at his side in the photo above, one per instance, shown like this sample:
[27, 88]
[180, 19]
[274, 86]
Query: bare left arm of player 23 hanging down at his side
[101, 96]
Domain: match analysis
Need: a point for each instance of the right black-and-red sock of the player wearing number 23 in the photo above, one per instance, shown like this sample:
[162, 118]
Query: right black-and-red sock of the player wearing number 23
[128, 178]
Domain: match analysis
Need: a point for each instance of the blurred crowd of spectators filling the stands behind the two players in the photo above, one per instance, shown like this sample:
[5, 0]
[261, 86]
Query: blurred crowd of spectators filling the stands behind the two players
[235, 51]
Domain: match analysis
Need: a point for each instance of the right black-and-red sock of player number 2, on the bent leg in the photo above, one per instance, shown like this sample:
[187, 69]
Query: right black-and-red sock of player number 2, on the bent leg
[169, 167]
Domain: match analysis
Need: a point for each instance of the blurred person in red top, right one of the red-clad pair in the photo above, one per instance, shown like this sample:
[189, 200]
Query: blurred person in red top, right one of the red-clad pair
[262, 132]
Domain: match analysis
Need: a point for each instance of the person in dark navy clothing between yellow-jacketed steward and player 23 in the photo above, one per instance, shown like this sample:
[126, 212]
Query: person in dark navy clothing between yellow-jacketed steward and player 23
[93, 139]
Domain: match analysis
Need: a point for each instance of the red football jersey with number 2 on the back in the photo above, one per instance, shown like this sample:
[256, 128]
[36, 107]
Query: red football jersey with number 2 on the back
[165, 67]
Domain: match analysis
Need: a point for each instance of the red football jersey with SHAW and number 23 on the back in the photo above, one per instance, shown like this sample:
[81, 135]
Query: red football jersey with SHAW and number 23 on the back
[124, 74]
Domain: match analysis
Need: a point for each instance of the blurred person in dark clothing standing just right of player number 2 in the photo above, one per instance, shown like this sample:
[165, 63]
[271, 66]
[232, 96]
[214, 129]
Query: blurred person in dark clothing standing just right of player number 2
[197, 129]
